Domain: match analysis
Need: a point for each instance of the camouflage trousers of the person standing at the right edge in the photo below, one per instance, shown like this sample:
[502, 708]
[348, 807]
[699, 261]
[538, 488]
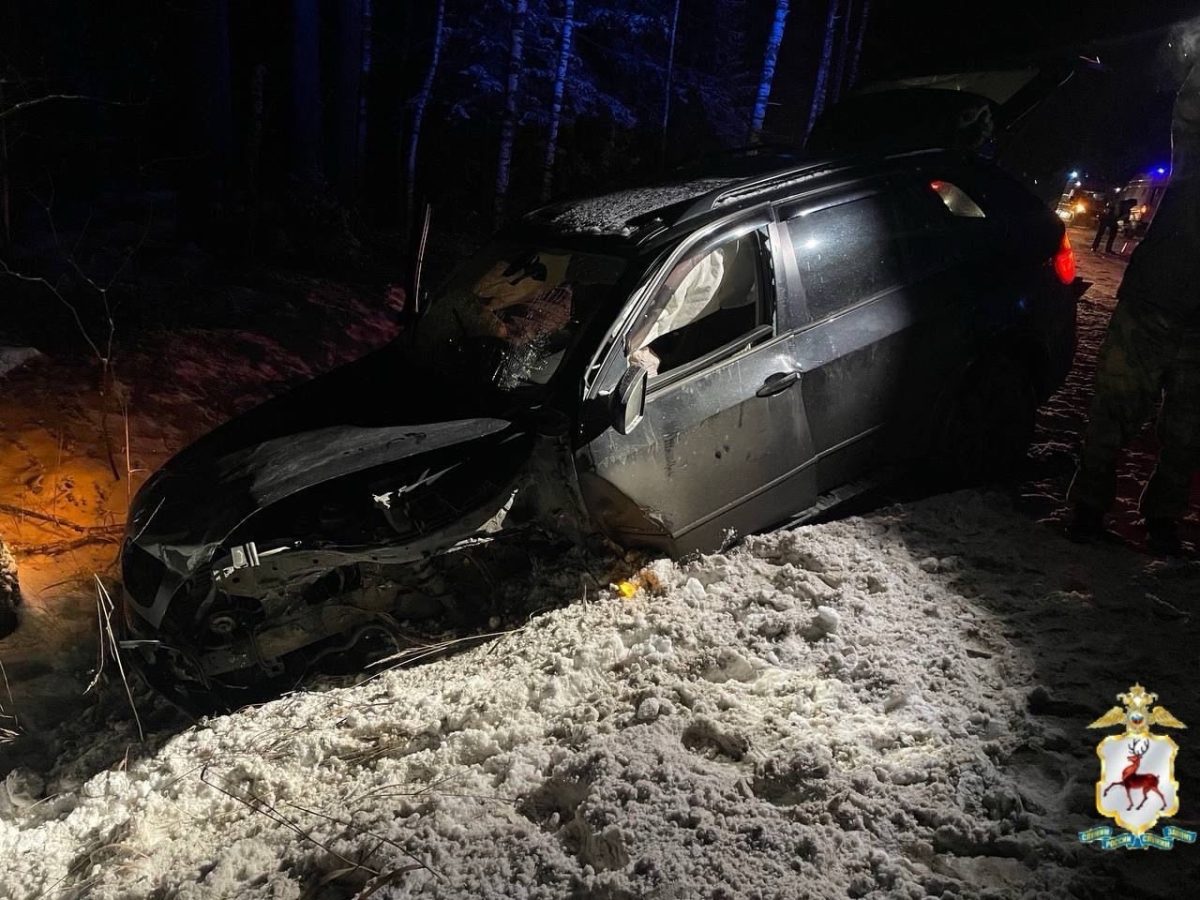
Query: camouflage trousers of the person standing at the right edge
[1145, 357]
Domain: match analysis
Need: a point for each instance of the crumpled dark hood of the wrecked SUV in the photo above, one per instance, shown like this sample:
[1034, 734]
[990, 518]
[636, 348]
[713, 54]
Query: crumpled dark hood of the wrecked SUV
[335, 436]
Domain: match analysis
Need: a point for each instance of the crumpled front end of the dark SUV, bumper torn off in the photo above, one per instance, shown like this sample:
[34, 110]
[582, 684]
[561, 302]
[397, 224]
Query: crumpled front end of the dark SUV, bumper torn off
[314, 549]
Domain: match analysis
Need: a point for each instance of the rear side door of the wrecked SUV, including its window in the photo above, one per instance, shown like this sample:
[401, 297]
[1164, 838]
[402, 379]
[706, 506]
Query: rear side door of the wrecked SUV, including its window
[866, 352]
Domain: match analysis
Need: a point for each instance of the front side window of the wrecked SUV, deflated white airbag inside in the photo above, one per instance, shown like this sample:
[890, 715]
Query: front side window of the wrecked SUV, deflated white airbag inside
[710, 301]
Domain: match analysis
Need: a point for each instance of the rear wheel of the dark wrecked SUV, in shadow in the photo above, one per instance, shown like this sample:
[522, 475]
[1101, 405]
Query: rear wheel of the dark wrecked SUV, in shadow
[989, 427]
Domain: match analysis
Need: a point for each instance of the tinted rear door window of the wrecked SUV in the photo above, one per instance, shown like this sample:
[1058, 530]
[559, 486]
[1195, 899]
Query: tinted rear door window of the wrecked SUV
[845, 254]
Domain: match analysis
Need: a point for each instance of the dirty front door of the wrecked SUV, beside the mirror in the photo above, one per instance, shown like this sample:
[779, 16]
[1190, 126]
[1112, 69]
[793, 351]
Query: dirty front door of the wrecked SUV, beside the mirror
[724, 447]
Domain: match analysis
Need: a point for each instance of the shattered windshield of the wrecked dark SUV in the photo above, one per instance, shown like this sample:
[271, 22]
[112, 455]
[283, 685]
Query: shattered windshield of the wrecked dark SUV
[508, 317]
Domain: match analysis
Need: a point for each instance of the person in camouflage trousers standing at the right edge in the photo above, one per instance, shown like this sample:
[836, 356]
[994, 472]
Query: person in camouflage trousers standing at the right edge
[1151, 352]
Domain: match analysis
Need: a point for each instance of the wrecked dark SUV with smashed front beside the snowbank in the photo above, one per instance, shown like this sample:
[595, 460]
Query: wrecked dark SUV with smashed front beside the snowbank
[670, 368]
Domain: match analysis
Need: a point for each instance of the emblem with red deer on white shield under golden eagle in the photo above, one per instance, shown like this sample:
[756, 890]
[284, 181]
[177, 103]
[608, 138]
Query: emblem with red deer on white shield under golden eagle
[1137, 785]
